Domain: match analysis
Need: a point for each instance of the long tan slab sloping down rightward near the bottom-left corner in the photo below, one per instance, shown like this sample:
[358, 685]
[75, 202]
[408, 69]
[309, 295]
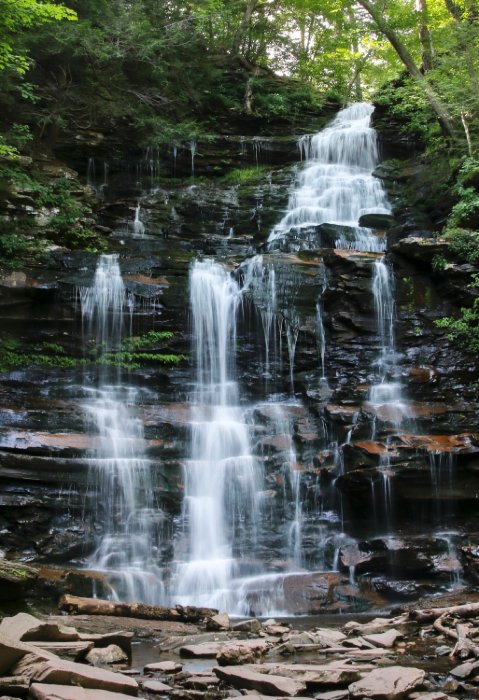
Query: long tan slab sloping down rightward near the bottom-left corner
[54, 670]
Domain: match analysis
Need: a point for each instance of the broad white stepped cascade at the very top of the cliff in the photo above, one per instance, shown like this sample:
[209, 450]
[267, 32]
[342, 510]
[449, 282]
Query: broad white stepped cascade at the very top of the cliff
[337, 185]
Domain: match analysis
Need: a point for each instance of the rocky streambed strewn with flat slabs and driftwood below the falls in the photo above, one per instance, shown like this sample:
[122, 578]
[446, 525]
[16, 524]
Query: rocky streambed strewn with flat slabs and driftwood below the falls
[193, 653]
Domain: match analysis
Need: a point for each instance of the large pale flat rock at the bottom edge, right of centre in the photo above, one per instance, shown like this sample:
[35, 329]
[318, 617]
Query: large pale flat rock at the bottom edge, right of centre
[390, 683]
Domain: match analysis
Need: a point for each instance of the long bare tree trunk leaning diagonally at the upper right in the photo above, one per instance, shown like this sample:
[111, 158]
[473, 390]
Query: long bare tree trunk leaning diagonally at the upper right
[433, 98]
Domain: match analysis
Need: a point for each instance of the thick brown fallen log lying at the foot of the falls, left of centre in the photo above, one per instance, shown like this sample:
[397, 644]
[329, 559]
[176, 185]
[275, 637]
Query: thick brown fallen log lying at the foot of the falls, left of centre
[141, 611]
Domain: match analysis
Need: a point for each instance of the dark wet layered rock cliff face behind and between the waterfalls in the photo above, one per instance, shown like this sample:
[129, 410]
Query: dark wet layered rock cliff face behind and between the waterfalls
[385, 502]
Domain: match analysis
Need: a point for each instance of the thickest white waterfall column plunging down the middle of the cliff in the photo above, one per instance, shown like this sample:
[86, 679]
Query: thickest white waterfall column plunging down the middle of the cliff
[222, 479]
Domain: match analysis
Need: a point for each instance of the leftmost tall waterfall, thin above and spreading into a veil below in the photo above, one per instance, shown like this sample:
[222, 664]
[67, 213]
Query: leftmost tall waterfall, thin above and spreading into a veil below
[125, 511]
